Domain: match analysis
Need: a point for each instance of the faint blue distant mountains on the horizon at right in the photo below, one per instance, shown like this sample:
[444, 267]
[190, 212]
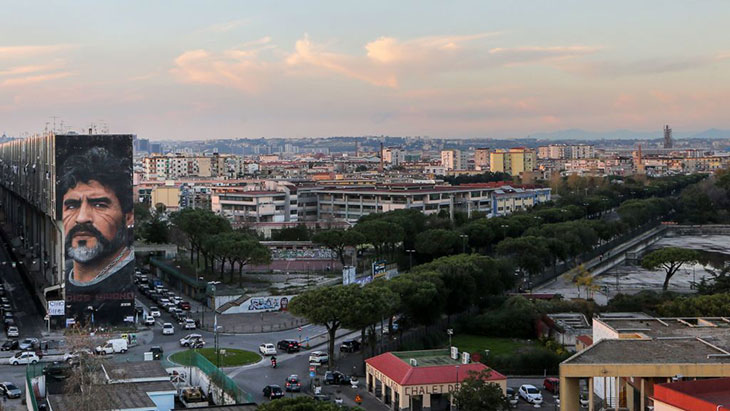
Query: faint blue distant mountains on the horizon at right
[577, 134]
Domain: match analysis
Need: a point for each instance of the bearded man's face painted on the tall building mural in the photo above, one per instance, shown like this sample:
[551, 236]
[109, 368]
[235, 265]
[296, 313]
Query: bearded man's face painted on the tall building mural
[93, 221]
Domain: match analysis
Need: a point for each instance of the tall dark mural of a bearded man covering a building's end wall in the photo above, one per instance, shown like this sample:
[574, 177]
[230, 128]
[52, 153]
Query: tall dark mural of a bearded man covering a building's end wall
[94, 203]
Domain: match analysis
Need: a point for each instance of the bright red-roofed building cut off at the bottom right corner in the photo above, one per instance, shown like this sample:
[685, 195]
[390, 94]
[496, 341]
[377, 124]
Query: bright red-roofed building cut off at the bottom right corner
[700, 395]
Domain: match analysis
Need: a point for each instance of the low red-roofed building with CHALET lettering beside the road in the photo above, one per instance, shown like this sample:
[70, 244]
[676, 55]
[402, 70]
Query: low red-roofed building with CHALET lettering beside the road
[420, 380]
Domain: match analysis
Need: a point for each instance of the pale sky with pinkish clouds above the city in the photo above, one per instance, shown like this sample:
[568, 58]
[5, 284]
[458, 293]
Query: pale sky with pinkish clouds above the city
[228, 69]
